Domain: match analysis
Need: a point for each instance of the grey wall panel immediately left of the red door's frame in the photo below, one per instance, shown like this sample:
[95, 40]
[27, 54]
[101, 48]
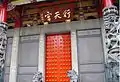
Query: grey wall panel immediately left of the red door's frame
[27, 58]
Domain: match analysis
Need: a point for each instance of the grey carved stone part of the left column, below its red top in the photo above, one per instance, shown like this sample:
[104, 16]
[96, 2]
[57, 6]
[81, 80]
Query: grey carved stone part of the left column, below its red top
[3, 43]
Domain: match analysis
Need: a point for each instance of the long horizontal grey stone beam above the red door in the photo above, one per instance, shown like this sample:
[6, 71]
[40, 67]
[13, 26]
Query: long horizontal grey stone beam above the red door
[58, 27]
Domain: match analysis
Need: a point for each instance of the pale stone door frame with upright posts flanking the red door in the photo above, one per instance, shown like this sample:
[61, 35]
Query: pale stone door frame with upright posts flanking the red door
[42, 46]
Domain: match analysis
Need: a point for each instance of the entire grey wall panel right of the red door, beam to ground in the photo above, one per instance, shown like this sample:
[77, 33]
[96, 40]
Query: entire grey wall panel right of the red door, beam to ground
[91, 58]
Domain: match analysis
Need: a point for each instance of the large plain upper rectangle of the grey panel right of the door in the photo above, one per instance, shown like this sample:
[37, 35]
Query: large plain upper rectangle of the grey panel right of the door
[91, 48]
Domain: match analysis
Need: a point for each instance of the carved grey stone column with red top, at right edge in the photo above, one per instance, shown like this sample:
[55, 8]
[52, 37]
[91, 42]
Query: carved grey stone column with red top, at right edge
[111, 34]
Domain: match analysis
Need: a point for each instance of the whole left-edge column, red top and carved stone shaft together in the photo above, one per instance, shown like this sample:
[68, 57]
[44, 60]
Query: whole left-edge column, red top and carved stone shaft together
[3, 37]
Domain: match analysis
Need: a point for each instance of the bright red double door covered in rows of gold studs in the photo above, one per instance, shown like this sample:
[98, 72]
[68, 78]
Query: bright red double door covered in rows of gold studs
[58, 57]
